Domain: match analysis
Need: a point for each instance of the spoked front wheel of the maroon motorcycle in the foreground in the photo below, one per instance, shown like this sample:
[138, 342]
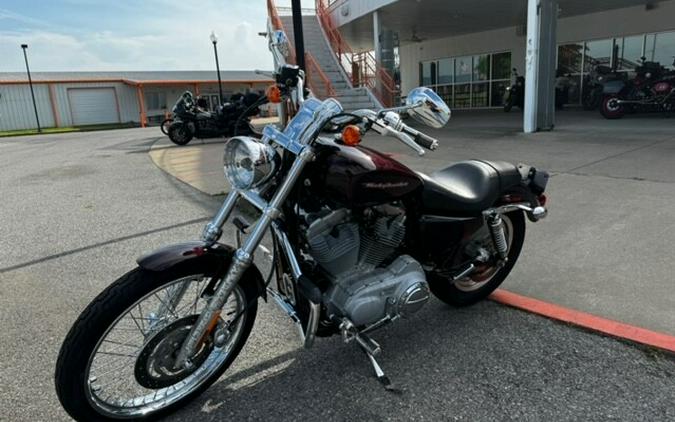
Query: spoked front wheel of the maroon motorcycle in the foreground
[118, 360]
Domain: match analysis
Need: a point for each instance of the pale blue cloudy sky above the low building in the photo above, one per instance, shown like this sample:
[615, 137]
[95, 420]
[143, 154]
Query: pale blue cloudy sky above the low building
[116, 35]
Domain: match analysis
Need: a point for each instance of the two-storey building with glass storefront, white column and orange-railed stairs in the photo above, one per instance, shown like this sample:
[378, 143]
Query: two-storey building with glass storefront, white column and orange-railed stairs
[466, 49]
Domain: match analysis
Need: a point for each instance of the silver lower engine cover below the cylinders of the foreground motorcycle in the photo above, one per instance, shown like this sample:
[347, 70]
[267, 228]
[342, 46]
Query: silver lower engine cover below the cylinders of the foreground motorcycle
[399, 289]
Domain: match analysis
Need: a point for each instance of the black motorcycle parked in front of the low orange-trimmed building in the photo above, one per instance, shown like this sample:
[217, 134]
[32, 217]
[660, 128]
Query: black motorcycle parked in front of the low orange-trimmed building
[192, 120]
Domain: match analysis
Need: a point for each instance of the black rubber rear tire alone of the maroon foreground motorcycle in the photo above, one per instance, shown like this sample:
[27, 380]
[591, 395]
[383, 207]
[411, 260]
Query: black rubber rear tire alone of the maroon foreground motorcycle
[448, 292]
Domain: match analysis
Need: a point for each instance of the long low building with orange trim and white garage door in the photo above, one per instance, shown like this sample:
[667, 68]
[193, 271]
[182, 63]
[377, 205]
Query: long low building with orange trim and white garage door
[90, 98]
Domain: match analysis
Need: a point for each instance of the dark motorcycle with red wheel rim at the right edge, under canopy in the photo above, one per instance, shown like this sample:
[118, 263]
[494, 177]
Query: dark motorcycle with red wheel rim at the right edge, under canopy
[652, 89]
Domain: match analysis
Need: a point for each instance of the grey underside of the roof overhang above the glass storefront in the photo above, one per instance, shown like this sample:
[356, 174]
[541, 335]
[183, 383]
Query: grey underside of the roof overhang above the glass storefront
[433, 19]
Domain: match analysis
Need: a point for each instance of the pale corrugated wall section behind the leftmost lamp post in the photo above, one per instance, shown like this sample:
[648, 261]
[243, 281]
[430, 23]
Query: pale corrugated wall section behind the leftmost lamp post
[16, 107]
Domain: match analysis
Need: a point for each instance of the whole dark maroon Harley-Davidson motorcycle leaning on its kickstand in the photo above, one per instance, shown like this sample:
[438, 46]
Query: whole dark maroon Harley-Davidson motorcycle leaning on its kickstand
[358, 241]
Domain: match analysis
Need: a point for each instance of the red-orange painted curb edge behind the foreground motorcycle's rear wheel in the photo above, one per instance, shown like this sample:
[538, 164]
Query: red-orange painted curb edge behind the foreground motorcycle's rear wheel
[582, 319]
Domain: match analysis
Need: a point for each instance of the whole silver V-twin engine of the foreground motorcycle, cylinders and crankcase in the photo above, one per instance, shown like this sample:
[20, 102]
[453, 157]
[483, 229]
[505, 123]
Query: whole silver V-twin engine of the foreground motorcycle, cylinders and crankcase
[357, 254]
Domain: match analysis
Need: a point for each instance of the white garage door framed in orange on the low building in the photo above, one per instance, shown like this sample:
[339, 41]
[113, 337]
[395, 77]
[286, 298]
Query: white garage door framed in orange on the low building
[93, 105]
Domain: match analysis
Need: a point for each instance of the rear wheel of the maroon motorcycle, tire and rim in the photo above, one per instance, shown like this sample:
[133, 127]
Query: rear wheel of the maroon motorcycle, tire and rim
[478, 285]
